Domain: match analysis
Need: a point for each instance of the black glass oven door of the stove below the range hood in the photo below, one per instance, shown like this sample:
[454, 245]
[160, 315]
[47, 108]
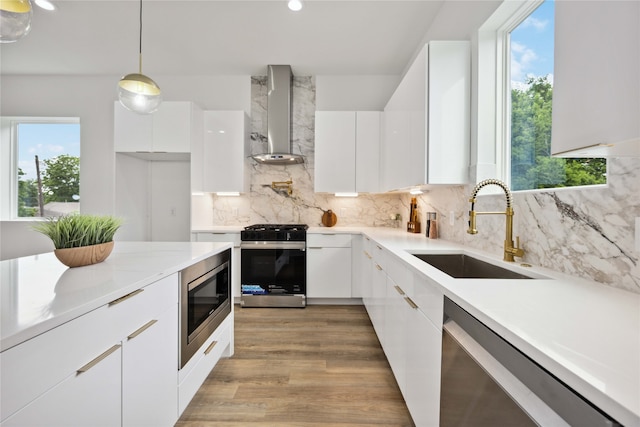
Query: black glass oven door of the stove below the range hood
[273, 268]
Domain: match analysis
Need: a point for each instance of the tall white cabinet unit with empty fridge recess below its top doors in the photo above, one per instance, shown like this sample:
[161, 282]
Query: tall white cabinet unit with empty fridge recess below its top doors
[153, 170]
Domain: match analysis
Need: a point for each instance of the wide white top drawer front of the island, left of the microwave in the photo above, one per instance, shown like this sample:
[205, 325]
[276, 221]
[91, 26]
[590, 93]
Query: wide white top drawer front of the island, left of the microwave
[33, 367]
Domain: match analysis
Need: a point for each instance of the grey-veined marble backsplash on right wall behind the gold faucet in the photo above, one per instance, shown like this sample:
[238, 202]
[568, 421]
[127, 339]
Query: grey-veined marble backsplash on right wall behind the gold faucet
[584, 232]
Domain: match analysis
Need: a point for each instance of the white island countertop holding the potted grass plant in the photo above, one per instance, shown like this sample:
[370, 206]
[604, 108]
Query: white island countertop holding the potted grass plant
[38, 293]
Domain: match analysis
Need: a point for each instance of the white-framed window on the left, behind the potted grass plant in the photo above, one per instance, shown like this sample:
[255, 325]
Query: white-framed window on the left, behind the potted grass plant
[42, 164]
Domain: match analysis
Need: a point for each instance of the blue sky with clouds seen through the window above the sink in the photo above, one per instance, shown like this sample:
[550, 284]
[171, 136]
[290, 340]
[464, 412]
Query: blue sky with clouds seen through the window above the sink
[532, 46]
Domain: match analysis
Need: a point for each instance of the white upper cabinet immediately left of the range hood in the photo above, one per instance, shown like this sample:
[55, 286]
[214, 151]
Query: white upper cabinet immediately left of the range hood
[224, 151]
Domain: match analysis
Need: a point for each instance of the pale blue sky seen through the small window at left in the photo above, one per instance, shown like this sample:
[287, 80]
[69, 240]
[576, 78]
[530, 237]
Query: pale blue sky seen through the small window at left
[46, 140]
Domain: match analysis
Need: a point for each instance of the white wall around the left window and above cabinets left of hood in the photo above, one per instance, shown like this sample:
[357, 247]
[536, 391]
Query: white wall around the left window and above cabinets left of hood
[91, 99]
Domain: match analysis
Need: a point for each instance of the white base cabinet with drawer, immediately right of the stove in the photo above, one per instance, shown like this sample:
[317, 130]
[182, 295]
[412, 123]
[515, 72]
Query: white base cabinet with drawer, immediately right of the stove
[329, 265]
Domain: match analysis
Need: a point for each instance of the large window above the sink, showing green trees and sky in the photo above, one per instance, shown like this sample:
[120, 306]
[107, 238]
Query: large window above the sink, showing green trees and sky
[529, 48]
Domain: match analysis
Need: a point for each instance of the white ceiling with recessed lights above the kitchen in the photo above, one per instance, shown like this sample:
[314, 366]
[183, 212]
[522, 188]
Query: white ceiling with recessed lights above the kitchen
[237, 37]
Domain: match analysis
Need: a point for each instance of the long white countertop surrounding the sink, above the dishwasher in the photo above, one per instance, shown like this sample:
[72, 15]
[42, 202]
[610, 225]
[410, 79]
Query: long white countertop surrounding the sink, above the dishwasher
[585, 333]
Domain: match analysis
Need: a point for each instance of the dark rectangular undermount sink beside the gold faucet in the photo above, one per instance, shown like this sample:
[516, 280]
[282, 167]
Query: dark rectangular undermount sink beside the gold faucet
[461, 266]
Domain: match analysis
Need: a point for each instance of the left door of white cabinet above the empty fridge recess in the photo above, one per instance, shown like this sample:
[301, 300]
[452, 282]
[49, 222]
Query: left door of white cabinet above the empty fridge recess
[131, 131]
